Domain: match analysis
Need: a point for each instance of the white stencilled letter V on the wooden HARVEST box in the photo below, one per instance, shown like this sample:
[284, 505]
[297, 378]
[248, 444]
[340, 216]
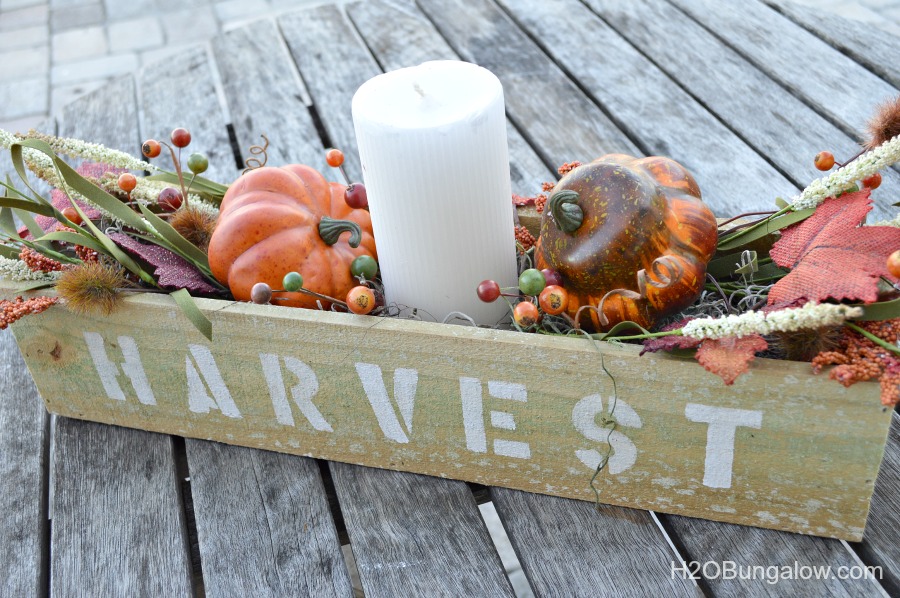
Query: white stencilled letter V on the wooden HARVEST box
[405, 383]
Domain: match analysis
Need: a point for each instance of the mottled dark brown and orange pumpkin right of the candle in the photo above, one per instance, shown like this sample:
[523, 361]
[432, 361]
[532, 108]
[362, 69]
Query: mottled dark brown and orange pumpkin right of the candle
[636, 226]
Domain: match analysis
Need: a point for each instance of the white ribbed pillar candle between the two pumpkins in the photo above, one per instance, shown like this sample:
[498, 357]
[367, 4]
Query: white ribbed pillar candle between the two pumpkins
[435, 162]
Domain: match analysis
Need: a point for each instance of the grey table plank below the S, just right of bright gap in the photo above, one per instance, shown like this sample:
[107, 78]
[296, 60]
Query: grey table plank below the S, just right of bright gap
[608, 551]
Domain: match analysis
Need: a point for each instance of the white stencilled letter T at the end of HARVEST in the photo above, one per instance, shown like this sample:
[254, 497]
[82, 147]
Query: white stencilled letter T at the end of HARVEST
[723, 423]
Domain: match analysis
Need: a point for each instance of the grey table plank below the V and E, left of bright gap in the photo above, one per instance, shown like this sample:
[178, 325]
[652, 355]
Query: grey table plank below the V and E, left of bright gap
[417, 536]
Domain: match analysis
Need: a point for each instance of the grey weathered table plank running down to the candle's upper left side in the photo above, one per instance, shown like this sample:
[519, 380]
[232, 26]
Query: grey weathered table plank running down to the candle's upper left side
[333, 63]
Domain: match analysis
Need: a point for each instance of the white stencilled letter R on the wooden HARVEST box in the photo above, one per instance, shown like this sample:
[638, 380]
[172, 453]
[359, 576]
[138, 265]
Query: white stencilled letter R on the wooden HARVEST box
[306, 388]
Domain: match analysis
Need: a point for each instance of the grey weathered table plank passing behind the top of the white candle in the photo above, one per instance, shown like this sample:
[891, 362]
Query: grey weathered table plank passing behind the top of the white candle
[400, 36]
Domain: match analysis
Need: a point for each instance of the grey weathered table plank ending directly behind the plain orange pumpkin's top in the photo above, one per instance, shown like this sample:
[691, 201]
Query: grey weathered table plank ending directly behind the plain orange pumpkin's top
[265, 96]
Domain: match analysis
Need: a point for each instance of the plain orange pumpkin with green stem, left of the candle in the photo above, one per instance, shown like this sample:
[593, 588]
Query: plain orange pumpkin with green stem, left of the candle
[288, 219]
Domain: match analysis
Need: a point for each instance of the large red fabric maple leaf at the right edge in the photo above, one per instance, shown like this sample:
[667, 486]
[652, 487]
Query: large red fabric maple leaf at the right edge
[831, 256]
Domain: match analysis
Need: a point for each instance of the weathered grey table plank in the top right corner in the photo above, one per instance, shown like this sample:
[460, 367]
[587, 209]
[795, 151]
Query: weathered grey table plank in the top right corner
[872, 47]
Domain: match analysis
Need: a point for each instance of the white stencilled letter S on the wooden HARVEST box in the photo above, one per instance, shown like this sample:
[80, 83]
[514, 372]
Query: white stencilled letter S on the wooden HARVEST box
[624, 453]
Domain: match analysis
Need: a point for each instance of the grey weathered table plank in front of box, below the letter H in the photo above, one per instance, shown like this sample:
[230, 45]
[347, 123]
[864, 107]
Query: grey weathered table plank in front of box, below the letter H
[118, 527]
